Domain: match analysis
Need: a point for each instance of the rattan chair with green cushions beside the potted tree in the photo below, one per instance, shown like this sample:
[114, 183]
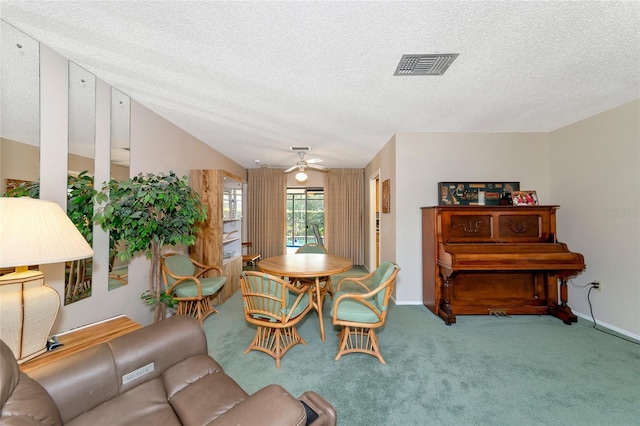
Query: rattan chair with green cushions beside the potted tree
[184, 279]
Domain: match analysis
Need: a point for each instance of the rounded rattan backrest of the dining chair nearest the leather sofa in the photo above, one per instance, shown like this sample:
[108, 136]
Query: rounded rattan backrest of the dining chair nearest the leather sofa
[264, 296]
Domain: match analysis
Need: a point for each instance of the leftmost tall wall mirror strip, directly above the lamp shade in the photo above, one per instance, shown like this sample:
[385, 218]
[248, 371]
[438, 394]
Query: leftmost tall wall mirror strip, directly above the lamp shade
[20, 112]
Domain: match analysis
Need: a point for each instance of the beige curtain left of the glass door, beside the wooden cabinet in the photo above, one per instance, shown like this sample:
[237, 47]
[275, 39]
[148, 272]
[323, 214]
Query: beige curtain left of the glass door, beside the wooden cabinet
[266, 215]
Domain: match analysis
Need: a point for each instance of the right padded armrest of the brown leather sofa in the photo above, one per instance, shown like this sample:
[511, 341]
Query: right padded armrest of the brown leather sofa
[270, 406]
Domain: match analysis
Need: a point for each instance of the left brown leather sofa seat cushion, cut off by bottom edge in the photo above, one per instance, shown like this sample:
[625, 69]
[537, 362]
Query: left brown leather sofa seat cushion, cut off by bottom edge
[145, 405]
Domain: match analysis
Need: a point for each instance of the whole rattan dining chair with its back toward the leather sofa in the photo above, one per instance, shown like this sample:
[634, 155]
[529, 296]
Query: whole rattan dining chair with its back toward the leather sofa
[275, 306]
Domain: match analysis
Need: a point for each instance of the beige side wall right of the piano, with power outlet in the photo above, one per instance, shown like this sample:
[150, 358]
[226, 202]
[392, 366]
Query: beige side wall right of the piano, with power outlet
[595, 177]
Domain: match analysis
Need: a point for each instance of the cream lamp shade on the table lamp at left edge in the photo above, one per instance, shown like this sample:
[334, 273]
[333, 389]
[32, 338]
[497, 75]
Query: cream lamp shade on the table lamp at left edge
[34, 232]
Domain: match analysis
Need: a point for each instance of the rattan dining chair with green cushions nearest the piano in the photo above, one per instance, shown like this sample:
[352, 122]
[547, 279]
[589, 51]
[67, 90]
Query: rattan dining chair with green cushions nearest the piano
[360, 310]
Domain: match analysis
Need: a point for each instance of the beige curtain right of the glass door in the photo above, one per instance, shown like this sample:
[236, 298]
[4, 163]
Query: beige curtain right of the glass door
[344, 213]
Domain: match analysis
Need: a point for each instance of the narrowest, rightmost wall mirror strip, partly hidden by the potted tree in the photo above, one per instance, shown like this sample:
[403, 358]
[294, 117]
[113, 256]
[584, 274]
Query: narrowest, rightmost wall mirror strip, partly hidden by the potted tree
[120, 142]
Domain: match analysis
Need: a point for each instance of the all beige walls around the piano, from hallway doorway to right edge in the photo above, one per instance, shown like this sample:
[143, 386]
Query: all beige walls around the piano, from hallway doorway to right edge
[590, 168]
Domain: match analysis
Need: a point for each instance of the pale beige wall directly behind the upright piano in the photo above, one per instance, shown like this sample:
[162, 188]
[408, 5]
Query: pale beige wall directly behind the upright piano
[424, 159]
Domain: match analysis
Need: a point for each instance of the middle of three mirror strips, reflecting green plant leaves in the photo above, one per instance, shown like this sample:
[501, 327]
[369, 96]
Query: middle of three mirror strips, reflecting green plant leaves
[82, 130]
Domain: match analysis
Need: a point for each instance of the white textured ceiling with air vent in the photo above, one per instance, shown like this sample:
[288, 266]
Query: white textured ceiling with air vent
[253, 78]
